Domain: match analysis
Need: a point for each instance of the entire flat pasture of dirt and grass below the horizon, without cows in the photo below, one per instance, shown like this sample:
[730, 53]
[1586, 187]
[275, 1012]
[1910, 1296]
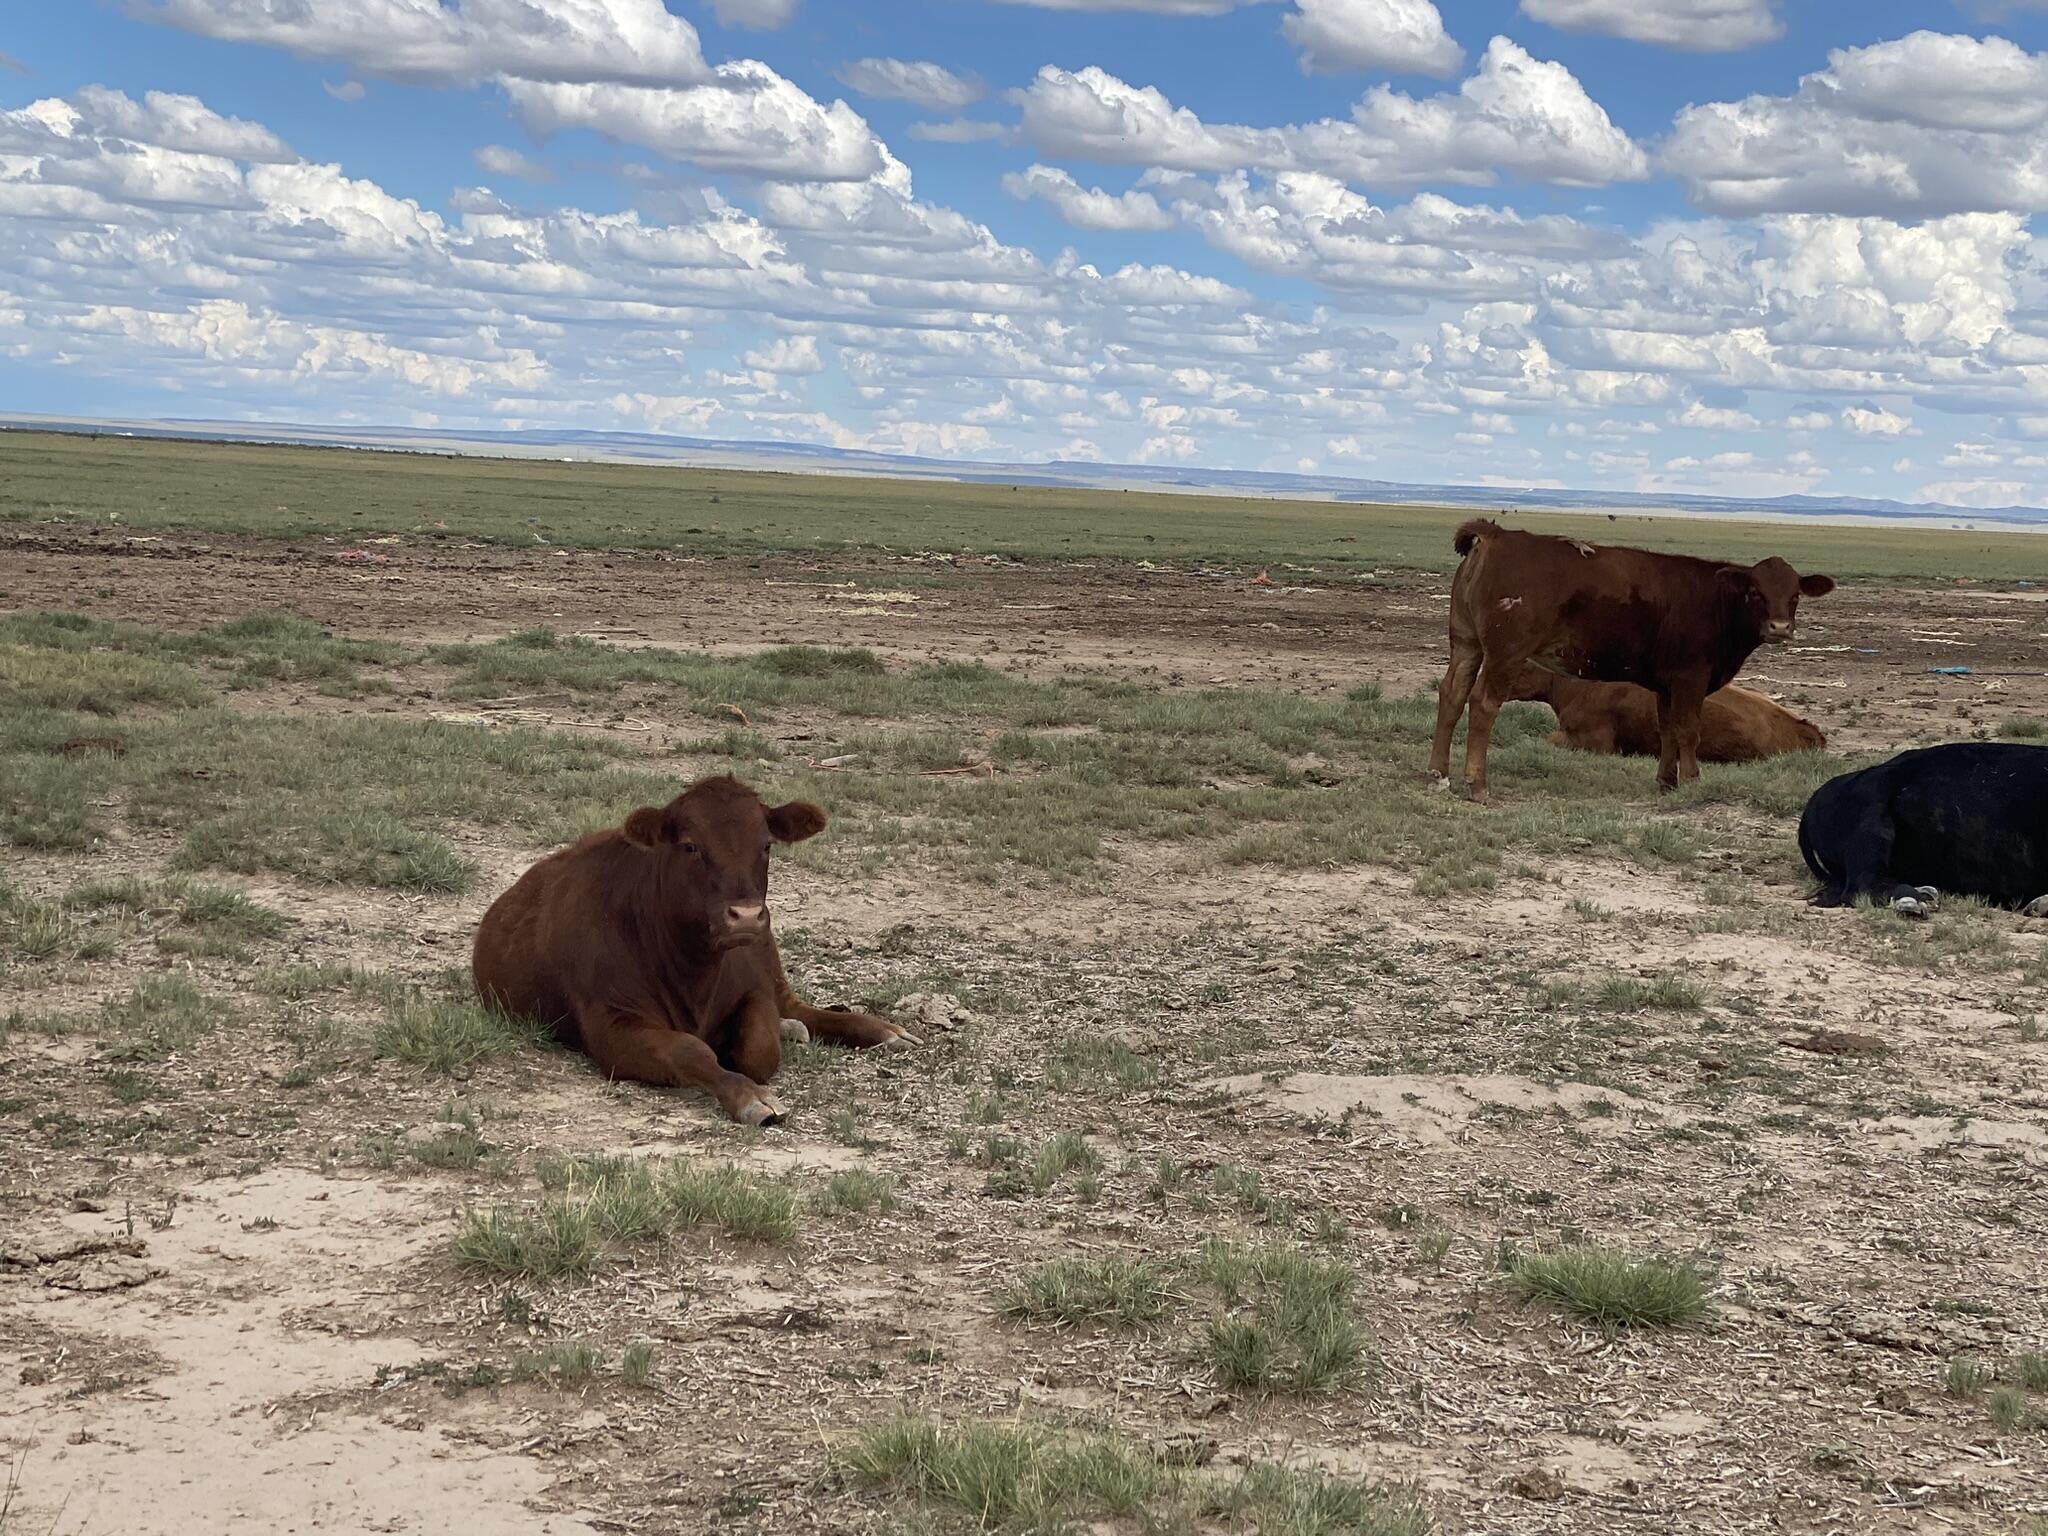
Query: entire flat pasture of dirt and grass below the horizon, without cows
[1291, 1148]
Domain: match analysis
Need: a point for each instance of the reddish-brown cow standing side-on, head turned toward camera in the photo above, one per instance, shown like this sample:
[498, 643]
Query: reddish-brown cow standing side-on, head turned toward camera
[1676, 626]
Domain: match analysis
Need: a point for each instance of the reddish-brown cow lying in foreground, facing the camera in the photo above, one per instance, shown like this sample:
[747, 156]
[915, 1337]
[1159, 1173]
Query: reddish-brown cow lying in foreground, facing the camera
[648, 949]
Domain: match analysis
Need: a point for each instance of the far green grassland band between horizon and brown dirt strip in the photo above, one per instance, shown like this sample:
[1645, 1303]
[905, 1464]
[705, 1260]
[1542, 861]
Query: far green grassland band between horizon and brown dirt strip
[294, 493]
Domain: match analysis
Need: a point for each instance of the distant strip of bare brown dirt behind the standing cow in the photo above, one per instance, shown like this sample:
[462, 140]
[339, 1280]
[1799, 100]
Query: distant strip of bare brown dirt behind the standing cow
[1863, 652]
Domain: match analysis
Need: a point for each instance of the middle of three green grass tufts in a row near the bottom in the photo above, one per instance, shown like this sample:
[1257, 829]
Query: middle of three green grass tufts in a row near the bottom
[1289, 1324]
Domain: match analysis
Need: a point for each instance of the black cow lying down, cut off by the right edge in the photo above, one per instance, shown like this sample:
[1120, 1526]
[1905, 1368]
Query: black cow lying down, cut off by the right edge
[1967, 820]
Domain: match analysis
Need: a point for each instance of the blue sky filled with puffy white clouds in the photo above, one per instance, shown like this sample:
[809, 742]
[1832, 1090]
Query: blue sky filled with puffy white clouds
[1697, 247]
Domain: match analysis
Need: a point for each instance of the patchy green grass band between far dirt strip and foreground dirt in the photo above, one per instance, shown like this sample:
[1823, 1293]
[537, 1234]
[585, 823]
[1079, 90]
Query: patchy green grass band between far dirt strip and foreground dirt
[105, 724]
